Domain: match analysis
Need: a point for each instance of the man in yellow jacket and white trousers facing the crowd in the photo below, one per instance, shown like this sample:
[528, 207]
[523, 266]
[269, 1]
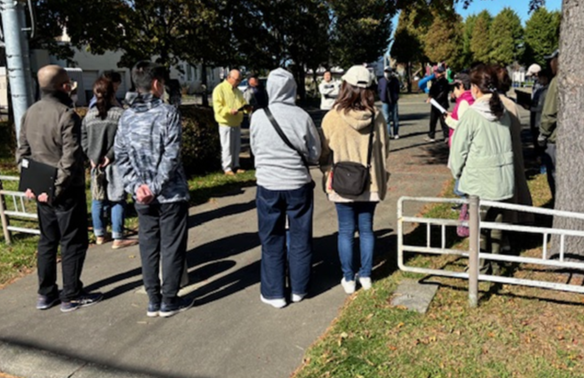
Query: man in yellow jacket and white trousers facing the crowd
[229, 106]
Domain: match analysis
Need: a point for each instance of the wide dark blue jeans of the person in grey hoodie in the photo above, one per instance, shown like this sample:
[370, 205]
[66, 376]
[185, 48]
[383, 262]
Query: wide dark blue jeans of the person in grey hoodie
[273, 207]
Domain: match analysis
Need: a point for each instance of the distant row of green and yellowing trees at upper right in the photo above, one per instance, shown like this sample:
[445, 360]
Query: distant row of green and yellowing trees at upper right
[437, 35]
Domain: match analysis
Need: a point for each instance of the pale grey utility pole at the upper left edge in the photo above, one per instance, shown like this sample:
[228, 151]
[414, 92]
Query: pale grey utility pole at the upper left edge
[17, 59]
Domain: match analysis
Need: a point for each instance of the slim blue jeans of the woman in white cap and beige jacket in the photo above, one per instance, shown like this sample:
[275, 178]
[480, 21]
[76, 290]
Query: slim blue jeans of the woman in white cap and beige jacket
[356, 216]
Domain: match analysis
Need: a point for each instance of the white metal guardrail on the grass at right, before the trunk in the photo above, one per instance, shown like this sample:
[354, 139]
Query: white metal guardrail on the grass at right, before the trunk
[474, 255]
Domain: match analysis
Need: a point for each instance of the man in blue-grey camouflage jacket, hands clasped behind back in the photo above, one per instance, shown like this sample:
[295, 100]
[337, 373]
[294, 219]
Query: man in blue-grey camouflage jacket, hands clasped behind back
[147, 150]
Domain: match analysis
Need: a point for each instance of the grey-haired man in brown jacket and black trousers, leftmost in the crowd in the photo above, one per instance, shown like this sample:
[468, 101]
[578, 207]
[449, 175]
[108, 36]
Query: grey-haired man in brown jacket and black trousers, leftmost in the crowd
[51, 134]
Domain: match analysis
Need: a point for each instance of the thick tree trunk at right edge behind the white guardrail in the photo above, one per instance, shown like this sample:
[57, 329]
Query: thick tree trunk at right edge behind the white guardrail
[570, 138]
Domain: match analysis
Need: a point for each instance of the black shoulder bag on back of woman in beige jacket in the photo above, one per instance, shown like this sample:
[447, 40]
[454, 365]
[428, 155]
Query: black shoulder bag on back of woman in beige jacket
[351, 178]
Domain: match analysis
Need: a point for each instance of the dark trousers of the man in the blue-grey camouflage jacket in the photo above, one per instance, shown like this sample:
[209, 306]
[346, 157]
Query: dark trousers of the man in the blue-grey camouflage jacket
[162, 233]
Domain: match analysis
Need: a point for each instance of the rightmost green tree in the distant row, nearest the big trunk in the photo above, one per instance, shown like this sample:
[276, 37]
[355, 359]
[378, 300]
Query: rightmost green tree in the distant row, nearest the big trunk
[542, 34]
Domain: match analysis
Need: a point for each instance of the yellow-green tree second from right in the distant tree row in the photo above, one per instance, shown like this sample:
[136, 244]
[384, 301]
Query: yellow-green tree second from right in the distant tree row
[506, 38]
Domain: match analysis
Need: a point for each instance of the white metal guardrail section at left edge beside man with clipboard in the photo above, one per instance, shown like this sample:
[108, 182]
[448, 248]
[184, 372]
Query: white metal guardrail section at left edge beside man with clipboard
[17, 210]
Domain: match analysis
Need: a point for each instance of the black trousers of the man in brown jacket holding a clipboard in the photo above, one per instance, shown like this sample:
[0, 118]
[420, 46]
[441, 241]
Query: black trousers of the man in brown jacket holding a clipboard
[64, 223]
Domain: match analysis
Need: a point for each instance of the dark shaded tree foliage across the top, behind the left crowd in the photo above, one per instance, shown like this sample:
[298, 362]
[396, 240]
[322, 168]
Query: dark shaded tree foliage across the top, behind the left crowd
[256, 34]
